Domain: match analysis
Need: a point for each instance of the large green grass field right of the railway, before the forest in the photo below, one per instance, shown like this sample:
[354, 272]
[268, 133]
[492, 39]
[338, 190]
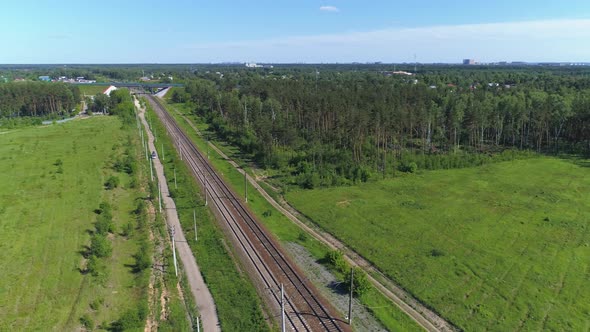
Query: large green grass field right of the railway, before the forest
[502, 247]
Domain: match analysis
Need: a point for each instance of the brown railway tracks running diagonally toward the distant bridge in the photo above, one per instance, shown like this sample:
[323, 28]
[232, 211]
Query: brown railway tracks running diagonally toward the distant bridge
[305, 310]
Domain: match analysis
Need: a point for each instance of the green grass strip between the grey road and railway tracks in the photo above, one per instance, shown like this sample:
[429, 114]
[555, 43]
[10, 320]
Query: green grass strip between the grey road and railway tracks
[238, 306]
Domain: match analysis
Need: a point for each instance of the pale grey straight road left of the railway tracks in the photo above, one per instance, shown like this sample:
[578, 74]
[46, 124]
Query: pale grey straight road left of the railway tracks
[201, 294]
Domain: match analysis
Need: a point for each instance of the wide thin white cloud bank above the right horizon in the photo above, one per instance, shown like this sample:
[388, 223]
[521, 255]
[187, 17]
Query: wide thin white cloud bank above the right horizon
[549, 40]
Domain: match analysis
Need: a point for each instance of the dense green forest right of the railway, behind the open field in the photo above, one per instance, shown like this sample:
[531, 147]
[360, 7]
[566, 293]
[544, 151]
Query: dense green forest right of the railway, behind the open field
[341, 126]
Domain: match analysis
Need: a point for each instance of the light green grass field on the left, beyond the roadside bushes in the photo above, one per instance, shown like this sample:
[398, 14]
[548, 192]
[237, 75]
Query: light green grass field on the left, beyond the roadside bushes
[46, 214]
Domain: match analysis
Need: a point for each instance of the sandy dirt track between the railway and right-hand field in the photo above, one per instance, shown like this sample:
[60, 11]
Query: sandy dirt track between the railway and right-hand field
[425, 317]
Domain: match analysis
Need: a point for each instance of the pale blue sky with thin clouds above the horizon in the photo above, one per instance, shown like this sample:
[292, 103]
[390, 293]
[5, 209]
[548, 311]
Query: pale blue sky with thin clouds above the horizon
[185, 31]
